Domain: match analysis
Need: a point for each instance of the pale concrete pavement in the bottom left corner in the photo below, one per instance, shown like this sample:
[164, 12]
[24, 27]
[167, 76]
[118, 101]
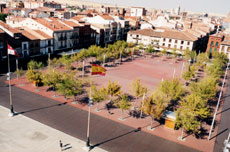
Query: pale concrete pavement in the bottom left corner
[22, 134]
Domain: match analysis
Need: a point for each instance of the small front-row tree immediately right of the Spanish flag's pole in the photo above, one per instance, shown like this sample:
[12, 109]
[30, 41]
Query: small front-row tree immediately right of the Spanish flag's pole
[98, 95]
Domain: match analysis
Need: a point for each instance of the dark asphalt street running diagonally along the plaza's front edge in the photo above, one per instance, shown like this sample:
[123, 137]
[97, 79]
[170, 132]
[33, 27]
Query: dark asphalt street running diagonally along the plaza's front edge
[106, 134]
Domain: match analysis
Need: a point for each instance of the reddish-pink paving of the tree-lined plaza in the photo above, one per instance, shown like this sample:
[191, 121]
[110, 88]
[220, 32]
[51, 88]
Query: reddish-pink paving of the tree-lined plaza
[150, 71]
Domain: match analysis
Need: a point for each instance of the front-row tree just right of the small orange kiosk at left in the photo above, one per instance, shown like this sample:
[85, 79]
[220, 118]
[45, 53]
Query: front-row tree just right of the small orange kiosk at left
[52, 79]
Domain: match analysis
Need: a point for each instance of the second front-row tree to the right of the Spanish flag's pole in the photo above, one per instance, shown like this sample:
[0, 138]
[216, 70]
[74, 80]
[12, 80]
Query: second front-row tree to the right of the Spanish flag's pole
[123, 103]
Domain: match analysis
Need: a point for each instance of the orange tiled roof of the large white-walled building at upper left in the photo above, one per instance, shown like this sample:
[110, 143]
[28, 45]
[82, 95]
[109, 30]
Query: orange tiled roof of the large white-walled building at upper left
[52, 24]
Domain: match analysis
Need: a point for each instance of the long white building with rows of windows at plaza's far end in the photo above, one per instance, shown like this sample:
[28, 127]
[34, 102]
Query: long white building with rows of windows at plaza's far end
[163, 39]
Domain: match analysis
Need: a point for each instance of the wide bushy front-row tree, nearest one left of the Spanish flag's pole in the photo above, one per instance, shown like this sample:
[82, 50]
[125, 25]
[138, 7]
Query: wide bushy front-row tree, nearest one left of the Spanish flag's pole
[69, 86]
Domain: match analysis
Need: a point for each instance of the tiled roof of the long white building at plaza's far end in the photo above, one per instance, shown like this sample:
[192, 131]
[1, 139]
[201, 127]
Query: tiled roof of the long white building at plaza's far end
[173, 34]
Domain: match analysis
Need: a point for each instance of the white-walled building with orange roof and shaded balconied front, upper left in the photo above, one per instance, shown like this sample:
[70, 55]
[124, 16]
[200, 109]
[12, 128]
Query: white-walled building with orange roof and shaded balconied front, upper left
[63, 36]
